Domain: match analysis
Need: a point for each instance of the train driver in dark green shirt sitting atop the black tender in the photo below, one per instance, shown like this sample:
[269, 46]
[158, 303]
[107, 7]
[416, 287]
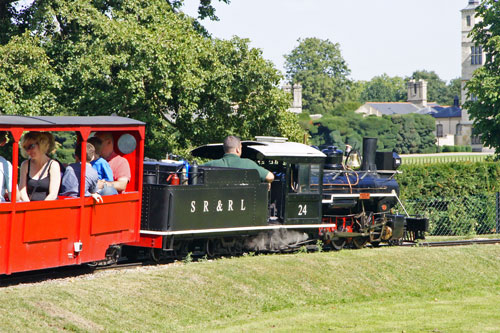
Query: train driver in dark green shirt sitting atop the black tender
[232, 159]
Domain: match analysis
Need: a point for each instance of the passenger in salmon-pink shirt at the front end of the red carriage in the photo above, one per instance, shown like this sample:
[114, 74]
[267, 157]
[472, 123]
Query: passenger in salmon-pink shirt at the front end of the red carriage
[119, 165]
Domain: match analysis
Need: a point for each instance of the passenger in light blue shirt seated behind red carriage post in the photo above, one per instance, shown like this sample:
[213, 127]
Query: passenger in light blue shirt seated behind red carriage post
[70, 185]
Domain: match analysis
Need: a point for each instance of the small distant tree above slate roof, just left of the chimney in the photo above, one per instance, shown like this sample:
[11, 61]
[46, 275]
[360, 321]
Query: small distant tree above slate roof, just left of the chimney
[384, 88]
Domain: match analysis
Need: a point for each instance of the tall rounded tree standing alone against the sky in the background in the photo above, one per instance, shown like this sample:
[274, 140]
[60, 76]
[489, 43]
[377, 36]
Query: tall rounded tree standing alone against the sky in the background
[318, 65]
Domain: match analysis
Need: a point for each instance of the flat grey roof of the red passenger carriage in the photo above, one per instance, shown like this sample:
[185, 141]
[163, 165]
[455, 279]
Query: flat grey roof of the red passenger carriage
[47, 121]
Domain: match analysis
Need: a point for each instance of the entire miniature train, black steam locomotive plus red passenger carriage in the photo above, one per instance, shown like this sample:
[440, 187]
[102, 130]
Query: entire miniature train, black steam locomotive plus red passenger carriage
[210, 211]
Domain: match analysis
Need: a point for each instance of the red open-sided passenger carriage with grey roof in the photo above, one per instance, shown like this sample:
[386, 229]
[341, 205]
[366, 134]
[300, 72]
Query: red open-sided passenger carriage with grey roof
[70, 231]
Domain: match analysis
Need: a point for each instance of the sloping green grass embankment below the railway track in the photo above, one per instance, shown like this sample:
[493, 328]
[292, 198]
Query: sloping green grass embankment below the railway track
[384, 290]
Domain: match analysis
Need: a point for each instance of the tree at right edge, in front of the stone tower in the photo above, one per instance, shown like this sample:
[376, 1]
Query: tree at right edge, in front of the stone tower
[483, 90]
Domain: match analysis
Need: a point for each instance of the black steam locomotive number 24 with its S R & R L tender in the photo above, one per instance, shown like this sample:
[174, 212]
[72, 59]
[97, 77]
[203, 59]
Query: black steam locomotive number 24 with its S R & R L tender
[217, 210]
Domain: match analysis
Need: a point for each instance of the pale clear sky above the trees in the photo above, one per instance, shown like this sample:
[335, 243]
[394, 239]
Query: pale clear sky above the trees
[395, 37]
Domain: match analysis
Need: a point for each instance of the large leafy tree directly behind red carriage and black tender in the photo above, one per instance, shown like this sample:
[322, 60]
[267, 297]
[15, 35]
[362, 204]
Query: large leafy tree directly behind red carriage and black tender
[142, 60]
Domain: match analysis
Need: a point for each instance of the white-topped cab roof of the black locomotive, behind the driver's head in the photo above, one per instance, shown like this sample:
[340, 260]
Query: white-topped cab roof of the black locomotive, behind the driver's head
[286, 151]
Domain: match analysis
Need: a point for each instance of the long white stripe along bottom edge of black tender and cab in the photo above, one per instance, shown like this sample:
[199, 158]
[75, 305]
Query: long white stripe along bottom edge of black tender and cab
[222, 230]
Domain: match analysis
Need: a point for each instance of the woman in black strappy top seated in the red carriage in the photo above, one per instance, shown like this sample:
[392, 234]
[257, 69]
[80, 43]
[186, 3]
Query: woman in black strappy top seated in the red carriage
[40, 175]
